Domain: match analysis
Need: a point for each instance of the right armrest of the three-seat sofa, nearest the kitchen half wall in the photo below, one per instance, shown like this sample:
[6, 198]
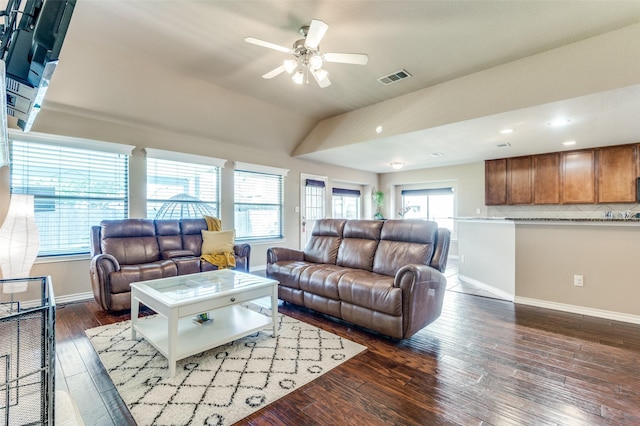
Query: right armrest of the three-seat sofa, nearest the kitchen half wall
[423, 289]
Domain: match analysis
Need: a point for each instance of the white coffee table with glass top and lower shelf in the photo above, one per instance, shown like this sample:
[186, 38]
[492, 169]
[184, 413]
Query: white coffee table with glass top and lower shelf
[178, 300]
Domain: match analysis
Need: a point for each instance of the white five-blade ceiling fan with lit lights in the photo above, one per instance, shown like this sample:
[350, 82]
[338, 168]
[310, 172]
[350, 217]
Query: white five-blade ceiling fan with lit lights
[307, 56]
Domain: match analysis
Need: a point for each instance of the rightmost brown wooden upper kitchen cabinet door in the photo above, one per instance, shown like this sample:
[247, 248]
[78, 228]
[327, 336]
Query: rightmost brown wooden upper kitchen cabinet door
[617, 174]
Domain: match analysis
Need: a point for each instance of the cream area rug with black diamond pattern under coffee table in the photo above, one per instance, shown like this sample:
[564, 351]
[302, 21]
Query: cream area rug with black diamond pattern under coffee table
[222, 385]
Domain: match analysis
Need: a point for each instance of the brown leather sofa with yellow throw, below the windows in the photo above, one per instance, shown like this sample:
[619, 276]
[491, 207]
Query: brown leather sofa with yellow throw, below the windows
[131, 250]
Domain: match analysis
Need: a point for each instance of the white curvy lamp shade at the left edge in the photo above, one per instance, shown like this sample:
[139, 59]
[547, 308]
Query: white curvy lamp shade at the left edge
[19, 239]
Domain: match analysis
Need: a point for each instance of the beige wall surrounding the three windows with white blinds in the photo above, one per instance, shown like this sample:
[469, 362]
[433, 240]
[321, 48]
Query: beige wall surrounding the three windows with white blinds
[72, 277]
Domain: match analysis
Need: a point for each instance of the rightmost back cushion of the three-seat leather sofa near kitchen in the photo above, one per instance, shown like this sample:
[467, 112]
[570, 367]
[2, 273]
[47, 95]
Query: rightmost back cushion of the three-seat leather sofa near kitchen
[404, 242]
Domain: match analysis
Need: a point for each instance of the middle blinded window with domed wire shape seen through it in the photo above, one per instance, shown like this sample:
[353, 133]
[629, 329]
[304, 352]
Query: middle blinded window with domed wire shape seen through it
[182, 185]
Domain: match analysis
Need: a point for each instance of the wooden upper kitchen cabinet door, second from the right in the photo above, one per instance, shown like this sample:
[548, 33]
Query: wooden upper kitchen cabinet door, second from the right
[578, 177]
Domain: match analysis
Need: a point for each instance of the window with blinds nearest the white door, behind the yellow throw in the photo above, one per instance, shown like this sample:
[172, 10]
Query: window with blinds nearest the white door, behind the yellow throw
[258, 202]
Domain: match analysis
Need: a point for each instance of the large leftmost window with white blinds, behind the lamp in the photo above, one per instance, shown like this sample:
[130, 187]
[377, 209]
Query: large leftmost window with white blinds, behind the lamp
[74, 188]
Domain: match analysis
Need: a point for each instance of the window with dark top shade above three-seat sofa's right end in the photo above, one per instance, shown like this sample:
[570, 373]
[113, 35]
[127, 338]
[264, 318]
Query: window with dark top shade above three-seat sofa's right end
[431, 204]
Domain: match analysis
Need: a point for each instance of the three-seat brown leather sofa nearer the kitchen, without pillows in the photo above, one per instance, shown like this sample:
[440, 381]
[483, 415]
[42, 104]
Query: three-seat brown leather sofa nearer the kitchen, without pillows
[386, 276]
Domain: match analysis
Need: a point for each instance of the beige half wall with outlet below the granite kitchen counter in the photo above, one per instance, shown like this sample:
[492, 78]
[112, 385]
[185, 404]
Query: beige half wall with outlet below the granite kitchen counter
[547, 257]
